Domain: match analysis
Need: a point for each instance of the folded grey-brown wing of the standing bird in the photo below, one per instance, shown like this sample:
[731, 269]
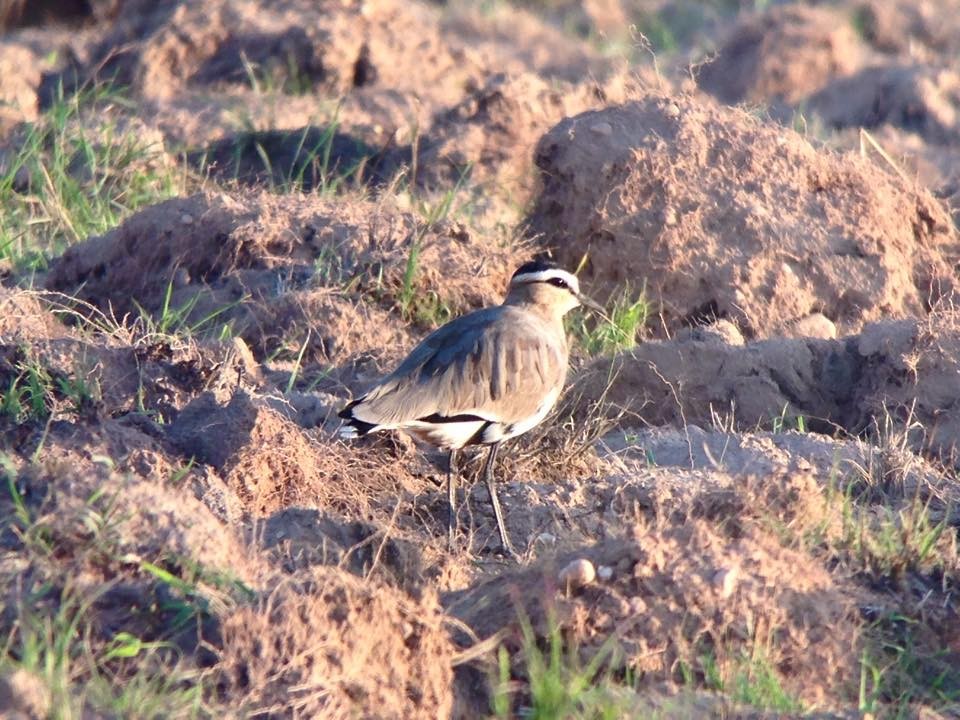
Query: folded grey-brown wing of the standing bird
[496, 364]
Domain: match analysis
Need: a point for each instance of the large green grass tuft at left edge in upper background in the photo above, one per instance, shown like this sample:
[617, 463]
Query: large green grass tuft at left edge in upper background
[77, 171]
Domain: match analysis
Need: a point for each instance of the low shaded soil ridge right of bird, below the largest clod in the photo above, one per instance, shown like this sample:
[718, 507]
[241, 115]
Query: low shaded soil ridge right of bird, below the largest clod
[904, 370]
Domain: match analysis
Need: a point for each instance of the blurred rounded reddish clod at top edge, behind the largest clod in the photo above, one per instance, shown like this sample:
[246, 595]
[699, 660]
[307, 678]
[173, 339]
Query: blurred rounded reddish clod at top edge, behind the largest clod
[781, 55]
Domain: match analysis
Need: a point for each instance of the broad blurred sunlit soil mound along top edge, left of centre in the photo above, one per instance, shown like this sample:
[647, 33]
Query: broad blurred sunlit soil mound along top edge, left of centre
[298, 44]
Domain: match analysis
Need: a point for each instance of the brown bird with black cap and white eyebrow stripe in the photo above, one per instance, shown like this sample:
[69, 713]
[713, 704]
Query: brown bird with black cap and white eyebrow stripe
[482, 379]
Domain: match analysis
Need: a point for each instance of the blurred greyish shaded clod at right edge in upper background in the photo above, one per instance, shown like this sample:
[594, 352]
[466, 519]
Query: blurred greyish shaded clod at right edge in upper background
[918, 98]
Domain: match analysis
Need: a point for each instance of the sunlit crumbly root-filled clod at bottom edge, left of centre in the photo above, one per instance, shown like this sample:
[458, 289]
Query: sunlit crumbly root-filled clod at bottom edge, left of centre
[331, 645]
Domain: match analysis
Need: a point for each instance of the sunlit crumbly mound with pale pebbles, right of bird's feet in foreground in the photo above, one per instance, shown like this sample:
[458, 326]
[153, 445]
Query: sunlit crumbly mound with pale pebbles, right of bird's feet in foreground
[669, 600]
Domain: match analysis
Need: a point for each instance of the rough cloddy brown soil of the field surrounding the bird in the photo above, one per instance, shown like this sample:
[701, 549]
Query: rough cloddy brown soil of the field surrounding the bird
[767, 492]
